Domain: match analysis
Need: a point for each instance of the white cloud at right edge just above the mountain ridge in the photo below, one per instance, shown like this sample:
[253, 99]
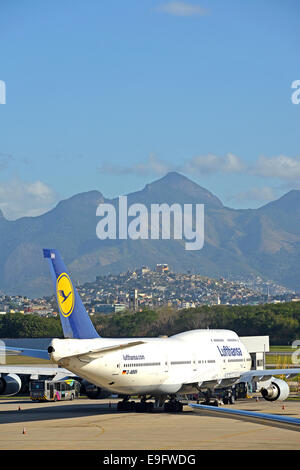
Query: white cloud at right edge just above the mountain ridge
[282, 167]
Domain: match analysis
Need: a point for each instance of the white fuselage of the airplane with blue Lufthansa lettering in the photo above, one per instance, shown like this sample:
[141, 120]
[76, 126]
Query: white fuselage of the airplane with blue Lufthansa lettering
[185, 362]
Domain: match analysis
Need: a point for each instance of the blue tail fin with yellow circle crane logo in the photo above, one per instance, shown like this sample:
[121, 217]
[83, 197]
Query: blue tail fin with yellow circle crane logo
[74, 318]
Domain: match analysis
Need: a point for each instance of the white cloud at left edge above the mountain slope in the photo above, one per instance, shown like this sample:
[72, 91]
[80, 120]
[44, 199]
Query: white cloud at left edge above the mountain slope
[19, 198]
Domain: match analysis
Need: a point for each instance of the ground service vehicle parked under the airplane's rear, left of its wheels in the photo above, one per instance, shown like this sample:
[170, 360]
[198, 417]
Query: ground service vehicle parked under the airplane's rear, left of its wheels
[54, 390]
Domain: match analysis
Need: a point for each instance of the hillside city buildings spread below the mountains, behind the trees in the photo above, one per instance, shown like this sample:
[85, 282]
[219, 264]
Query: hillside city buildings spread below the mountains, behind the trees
[146, 288]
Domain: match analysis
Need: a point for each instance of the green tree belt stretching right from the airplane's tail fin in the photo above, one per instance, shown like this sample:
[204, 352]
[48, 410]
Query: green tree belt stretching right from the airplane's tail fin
[279, 321]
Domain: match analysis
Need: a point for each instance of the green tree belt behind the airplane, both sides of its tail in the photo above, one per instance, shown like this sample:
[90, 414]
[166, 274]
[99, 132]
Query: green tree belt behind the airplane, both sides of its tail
[279, 321]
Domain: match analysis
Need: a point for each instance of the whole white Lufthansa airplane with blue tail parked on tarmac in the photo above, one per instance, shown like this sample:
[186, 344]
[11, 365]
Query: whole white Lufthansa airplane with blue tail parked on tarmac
[163, 368]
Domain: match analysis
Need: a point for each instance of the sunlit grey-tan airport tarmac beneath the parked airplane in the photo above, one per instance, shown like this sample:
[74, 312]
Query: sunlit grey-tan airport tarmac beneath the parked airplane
[85, 424]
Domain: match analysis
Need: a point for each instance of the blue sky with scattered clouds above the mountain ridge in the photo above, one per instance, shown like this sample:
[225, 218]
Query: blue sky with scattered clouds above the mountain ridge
[110, 95]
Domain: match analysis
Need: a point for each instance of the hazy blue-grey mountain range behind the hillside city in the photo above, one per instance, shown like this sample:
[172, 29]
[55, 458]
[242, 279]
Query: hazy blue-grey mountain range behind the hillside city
[263, 241]
